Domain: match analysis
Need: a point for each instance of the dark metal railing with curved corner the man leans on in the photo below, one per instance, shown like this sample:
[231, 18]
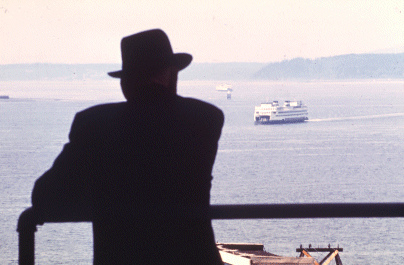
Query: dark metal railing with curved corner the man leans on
[29, 220]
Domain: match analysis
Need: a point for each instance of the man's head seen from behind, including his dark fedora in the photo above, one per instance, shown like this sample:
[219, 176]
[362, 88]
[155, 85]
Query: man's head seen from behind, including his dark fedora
[147, 57]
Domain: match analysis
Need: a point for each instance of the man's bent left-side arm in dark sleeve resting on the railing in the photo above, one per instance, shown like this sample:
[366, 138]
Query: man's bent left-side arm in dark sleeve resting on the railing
[64, 190]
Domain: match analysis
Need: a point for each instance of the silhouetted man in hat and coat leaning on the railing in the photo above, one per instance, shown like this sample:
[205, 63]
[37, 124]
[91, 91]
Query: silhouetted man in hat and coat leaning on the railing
[141, 169]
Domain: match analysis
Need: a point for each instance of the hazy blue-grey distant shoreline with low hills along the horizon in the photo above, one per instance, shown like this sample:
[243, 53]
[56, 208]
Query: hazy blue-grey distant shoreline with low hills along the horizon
[343, 67]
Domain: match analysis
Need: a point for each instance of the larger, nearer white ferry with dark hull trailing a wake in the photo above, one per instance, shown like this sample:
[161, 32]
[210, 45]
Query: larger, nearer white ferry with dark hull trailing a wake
[272, 112]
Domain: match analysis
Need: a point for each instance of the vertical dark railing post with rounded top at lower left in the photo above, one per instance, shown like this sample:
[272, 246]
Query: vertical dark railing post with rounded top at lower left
[26, 229]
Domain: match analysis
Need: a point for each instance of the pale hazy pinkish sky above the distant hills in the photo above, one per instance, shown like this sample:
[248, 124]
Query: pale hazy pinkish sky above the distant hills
[89, 31]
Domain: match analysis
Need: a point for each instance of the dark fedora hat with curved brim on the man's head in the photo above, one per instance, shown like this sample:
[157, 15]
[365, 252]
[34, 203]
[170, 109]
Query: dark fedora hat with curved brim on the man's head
[148, 52]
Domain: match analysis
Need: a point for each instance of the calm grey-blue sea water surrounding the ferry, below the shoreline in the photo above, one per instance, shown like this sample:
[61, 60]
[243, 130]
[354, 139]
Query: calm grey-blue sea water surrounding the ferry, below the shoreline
[351, 150]
